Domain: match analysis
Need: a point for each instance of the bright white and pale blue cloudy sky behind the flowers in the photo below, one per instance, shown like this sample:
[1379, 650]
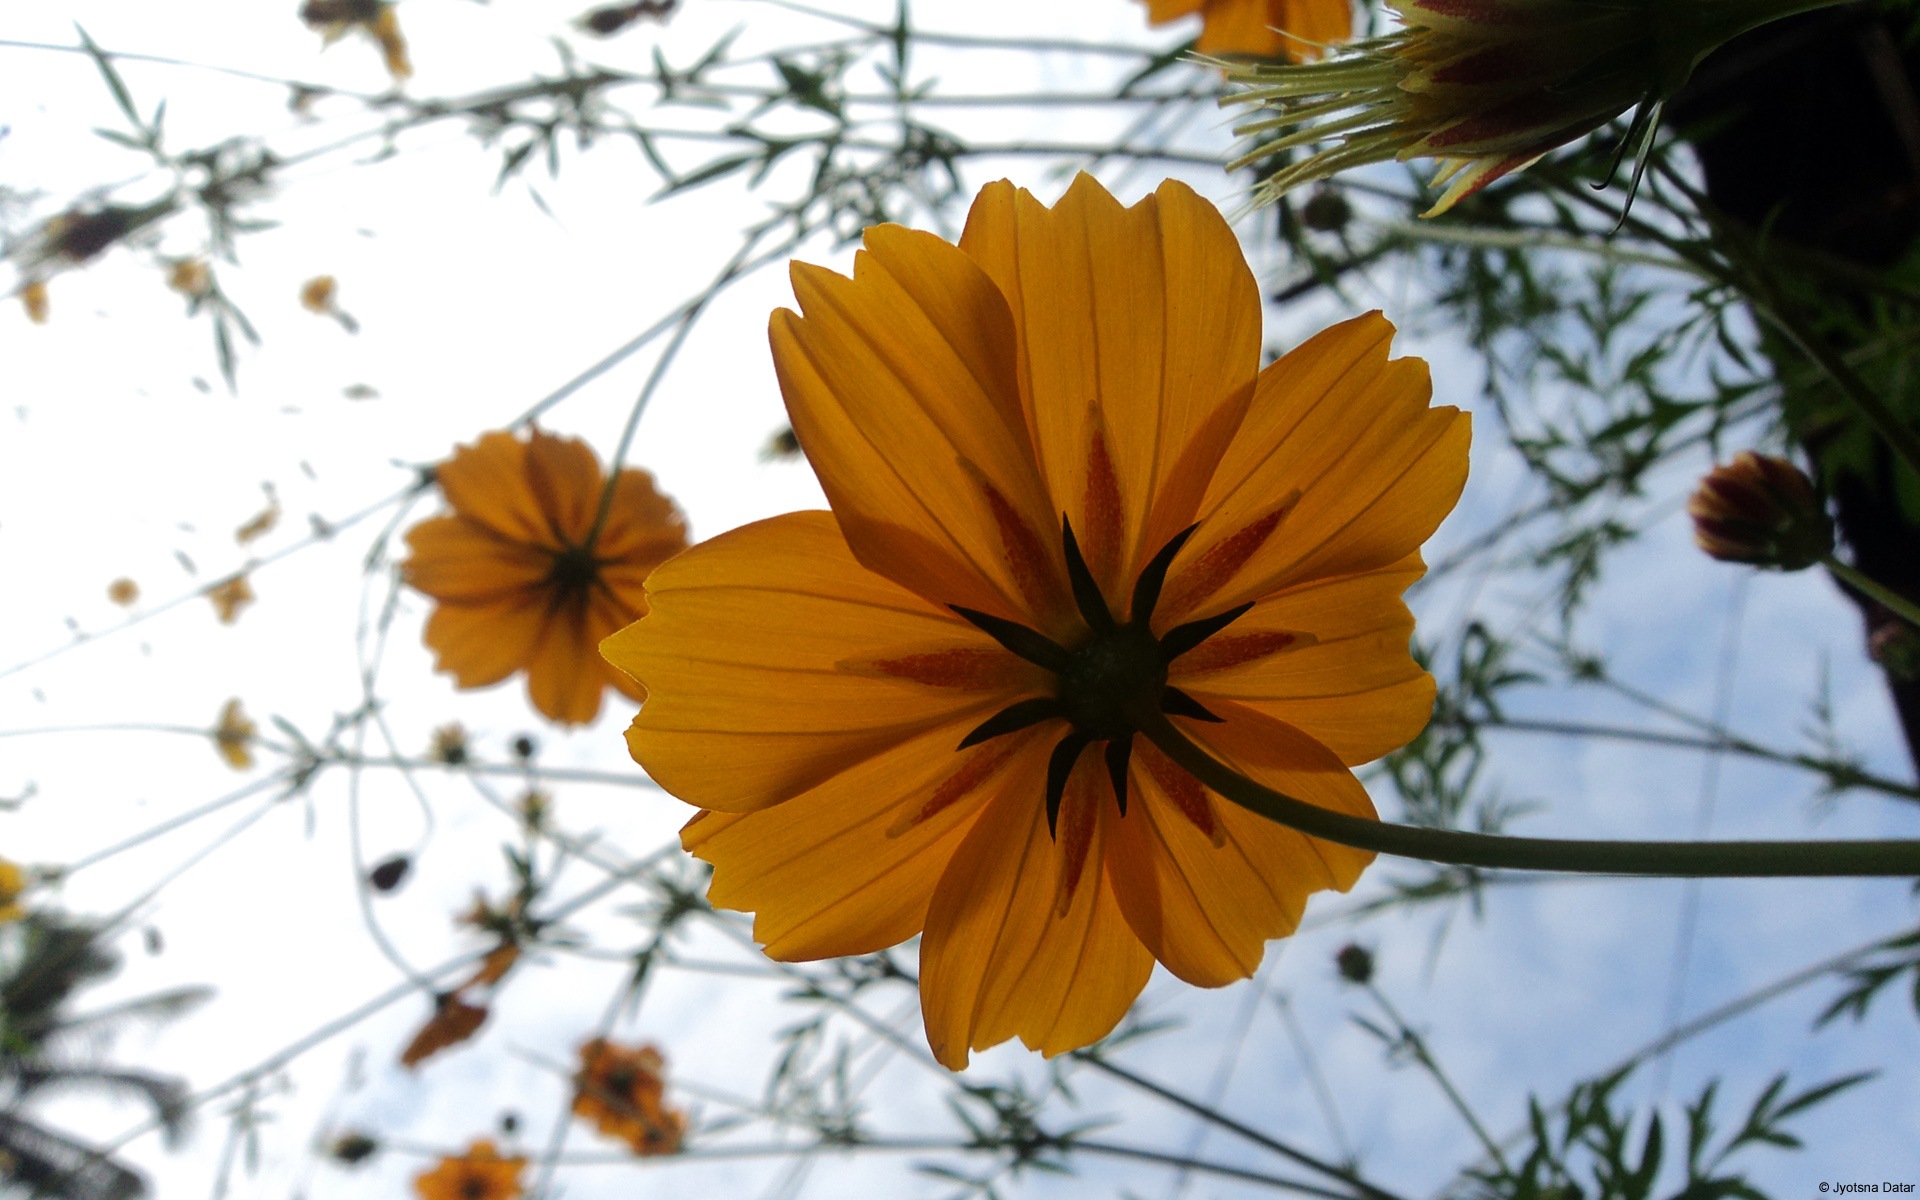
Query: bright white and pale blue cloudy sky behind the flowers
[475, 306]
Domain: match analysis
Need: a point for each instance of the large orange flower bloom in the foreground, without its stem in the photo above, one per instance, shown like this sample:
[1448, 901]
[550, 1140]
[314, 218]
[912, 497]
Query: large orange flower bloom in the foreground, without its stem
[1065, 492]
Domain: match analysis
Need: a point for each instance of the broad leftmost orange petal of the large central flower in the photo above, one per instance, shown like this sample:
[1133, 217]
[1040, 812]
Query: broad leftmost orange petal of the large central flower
[788, 661]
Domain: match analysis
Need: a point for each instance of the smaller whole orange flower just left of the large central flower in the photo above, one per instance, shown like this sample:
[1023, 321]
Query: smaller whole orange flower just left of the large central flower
[521, 585]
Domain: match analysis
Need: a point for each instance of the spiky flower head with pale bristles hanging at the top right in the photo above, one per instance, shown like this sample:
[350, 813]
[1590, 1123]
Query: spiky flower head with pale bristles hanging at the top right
[1487, 87]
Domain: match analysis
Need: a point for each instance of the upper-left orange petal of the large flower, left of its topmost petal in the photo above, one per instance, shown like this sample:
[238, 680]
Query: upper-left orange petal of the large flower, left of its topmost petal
[903, 366]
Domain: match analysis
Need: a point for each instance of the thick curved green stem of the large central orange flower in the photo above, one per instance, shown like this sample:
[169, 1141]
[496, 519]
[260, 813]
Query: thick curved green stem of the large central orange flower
[1687, 859]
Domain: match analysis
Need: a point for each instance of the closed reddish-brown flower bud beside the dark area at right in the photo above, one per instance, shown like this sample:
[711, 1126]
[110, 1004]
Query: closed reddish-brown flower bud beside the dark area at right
[1764, 512]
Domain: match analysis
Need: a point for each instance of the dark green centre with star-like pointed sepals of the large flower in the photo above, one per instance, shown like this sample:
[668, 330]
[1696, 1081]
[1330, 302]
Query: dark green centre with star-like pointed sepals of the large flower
[1103, 684]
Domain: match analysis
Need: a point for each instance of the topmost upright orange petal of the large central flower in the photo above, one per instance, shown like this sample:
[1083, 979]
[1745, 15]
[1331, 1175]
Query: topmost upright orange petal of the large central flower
[1140, 341]
